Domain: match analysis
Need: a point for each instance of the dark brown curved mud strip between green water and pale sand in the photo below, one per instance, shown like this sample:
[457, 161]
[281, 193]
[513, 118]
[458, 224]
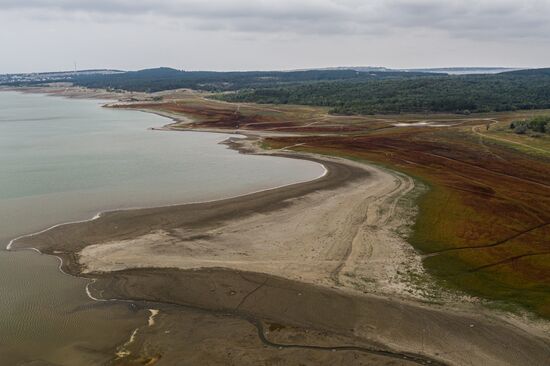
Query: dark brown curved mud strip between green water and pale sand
[65, 240]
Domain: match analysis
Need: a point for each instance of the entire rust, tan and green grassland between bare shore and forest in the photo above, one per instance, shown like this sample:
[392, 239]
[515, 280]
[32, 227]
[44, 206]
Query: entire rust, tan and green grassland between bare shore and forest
[484, 225]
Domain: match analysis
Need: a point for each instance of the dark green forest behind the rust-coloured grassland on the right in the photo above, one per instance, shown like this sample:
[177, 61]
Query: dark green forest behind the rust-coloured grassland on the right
[518, 90]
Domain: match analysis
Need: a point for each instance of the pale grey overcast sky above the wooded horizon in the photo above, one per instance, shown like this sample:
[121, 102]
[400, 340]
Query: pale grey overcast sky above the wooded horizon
[47, 35]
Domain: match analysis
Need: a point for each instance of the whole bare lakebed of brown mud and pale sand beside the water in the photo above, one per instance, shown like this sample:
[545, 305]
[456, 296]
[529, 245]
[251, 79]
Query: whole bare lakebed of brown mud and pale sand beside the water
[283, 276]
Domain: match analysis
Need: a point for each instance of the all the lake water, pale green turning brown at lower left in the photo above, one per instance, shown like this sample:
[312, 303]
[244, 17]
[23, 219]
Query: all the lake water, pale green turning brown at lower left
[63, 160]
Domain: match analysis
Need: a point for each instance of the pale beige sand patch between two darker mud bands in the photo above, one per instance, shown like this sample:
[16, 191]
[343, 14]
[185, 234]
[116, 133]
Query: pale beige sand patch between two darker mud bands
[325, 237]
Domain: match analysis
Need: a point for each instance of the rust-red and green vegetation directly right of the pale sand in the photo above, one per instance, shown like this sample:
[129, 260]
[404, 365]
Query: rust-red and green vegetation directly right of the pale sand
[483, 225]
